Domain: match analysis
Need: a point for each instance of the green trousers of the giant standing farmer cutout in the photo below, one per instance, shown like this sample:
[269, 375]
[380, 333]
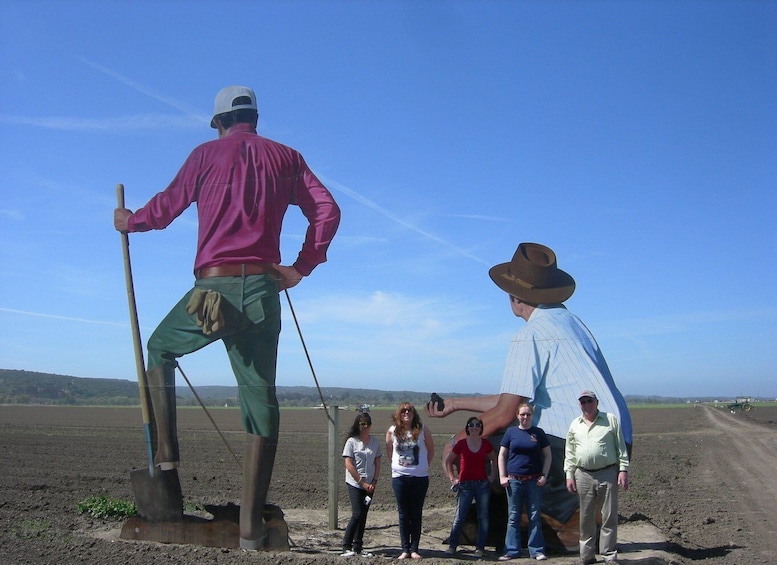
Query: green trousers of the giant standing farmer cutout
[251, 309]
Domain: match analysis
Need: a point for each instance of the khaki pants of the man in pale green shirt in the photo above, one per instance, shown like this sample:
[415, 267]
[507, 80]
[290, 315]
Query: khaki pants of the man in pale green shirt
[598, 492]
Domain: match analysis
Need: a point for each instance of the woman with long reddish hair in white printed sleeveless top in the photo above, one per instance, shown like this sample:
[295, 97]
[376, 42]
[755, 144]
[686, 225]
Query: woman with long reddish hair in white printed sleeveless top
[410, 446]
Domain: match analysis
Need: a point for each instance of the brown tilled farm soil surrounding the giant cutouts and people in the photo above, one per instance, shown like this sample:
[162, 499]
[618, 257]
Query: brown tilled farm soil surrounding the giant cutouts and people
[702, 487]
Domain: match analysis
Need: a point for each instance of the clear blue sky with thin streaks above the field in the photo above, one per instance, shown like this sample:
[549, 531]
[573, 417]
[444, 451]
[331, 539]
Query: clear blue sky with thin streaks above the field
[637, 139]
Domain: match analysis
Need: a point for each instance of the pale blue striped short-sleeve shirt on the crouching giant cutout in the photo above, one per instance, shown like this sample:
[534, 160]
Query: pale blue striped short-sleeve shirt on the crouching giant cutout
[551, 359]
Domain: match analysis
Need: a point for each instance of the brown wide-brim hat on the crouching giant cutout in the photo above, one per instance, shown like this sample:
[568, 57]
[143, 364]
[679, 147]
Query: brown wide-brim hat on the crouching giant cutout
[533, 276]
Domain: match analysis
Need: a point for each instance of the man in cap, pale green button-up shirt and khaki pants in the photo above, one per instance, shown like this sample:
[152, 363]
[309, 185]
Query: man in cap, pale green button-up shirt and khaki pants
[596, 463]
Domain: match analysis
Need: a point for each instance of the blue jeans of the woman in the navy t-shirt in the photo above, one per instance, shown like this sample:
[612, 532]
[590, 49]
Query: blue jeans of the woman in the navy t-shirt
[517, 491]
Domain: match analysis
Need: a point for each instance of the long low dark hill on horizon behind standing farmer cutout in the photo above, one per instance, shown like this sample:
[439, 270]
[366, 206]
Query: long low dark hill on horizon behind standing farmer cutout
[28, 387]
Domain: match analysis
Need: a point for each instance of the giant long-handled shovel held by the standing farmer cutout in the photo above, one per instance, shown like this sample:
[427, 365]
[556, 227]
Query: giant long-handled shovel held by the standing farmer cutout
[157, 493]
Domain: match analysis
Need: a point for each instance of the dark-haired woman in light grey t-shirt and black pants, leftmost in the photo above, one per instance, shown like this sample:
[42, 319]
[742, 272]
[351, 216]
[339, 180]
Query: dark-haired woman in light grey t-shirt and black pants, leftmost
[361, 455]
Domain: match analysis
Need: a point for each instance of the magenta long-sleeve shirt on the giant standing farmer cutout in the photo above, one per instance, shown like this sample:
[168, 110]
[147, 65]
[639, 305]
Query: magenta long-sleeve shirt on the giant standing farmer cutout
[243, 183]
